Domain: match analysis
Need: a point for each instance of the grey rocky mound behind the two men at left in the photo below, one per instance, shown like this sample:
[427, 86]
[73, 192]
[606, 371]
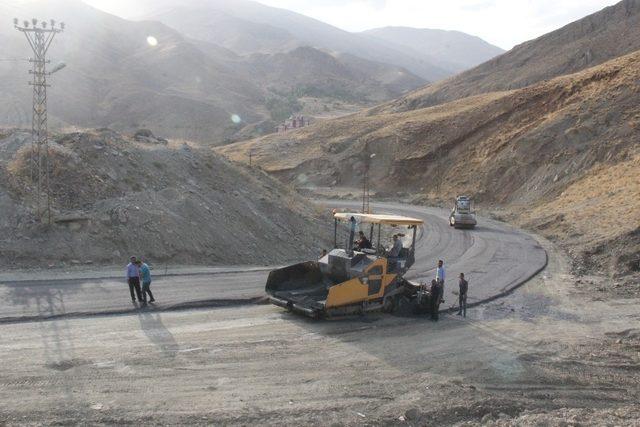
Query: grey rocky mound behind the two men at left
[171, 202]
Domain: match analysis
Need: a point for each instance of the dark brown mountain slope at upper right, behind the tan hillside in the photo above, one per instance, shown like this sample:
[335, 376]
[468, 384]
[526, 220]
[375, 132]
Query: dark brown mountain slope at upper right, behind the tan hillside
[593, 40]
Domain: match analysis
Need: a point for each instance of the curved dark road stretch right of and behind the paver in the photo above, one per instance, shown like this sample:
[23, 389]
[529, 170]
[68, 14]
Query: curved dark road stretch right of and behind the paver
[494, 256]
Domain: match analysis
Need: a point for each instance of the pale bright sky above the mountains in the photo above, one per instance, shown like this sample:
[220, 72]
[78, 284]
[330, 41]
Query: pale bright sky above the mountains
[502, 22]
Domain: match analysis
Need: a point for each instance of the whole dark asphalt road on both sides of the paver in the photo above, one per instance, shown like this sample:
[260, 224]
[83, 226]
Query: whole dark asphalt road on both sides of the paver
[495, 257]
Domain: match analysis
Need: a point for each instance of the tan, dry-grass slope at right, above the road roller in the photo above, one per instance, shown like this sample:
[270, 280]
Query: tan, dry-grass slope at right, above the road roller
[562, 156]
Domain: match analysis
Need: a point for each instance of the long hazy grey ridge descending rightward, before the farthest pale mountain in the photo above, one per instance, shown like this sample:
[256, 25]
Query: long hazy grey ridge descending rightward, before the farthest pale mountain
[292, 29]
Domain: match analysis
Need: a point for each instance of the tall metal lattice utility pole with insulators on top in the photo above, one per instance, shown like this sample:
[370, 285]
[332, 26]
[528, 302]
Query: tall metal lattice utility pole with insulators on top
[40, 35]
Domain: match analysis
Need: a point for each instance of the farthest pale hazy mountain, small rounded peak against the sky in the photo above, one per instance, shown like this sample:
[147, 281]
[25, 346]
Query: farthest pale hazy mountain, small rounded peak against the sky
[451, 50]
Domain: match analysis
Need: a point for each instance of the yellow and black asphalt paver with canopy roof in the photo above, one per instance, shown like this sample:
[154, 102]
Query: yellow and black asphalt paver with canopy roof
[350, 280]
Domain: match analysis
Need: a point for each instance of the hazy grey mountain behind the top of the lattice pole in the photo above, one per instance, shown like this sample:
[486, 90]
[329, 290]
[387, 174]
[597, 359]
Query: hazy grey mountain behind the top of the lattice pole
[115, 78]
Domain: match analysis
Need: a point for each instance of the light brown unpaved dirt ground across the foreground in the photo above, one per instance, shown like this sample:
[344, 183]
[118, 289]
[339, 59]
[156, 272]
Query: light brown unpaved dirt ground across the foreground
[544, 354]
